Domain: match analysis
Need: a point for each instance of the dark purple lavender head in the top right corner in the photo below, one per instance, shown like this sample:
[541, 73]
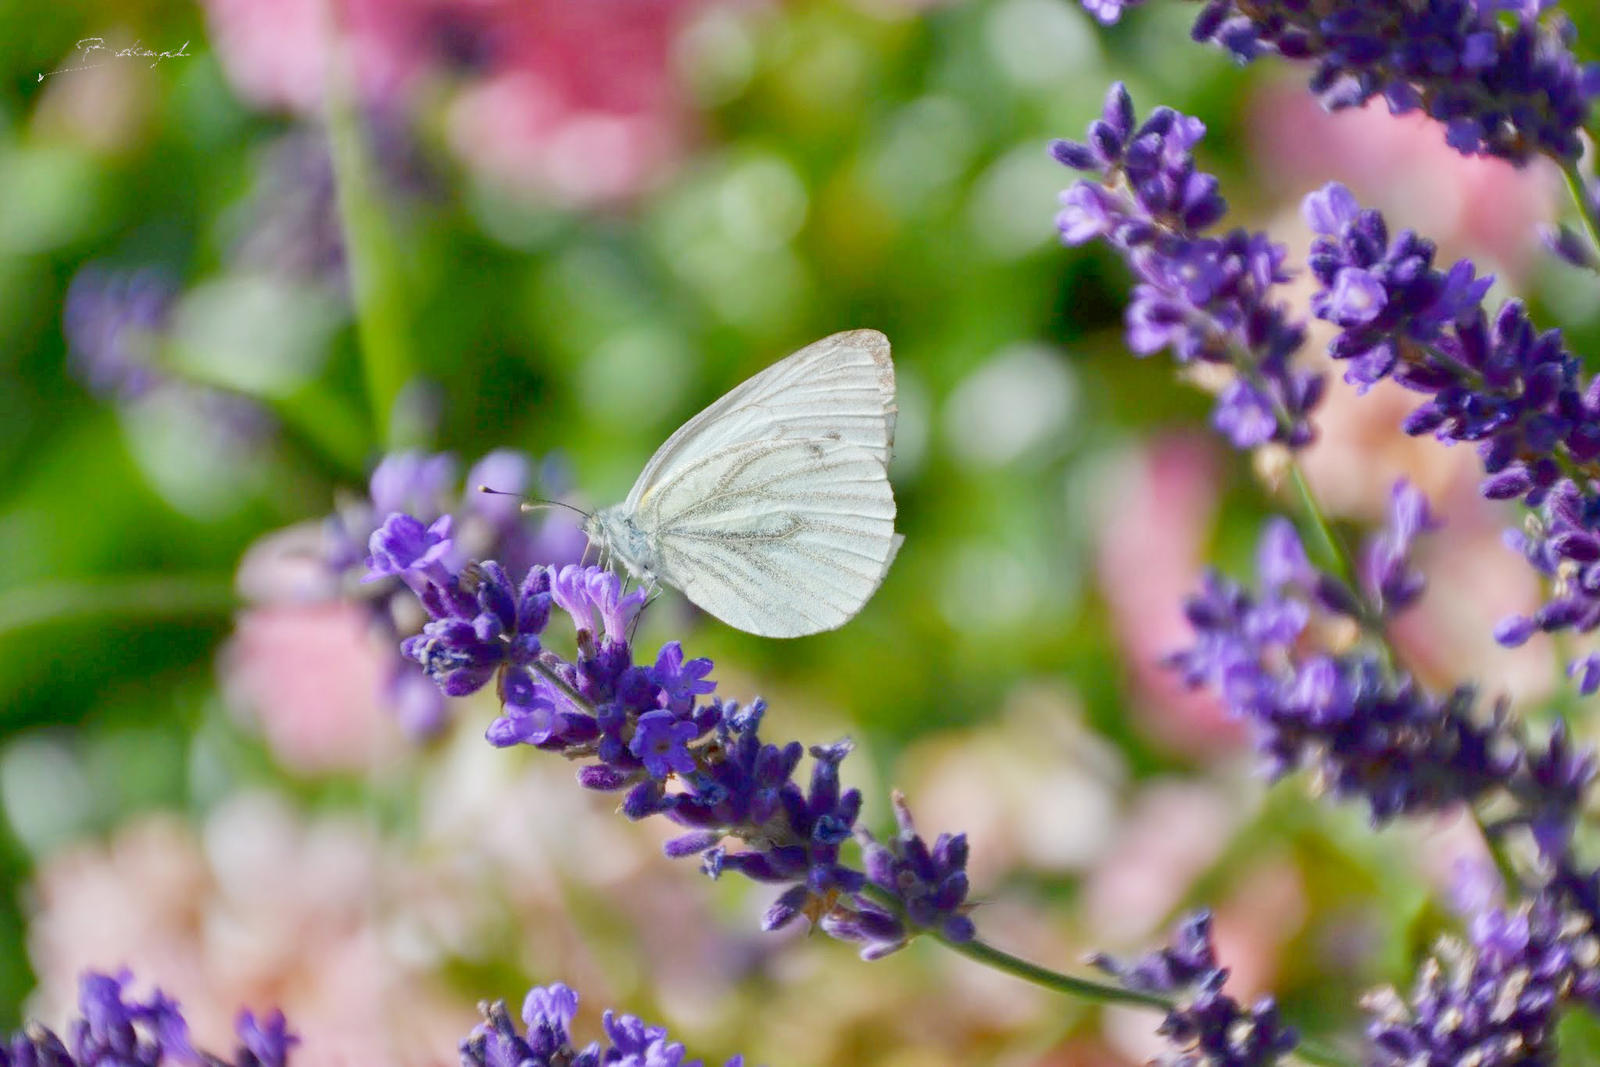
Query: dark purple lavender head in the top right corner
[1510, 89]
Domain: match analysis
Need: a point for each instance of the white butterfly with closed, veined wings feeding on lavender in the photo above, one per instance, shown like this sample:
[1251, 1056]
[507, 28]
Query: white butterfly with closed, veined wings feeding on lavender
[772, 510]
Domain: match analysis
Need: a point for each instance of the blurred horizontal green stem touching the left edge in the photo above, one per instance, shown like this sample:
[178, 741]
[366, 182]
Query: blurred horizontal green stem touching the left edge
[156, 596]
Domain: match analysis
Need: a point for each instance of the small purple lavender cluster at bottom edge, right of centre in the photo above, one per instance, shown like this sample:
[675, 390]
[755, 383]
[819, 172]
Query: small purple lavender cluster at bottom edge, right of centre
[1206, 1026]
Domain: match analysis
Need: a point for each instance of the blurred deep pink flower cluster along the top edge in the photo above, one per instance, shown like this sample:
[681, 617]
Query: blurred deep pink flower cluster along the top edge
[570, 102]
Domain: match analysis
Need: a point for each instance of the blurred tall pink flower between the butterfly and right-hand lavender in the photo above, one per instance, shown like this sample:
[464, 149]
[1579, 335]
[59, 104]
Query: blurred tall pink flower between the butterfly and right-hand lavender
[1153, 532]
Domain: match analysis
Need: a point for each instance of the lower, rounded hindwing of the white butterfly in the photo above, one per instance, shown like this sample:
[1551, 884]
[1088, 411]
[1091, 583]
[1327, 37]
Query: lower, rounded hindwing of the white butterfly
[777, 537]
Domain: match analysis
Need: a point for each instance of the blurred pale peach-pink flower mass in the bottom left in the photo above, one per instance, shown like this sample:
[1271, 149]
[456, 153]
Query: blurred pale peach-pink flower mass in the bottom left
[263, 911]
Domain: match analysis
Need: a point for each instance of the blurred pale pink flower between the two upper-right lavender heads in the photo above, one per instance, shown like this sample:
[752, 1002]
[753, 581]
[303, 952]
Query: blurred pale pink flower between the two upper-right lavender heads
[1471, 207]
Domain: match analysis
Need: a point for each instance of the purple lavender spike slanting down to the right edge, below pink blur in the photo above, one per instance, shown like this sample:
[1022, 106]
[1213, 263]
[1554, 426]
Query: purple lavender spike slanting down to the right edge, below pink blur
[1518, 394]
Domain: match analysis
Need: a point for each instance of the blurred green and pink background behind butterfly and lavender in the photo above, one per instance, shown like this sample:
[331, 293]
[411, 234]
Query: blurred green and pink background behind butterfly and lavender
[583, 223]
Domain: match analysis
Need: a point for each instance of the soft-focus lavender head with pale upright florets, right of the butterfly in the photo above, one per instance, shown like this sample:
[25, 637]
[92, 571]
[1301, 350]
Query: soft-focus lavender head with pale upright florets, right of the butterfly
[1367, 730]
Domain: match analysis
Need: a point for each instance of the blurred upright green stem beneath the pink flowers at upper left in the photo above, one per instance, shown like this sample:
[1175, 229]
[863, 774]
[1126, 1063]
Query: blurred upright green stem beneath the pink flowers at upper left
[374, 257]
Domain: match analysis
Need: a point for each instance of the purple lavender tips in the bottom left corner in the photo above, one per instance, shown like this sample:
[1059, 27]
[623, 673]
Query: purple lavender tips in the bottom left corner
[119, 1031]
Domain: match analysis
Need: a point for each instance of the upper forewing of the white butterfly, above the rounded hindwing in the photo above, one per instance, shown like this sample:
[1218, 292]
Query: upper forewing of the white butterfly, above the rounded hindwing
[841, 390]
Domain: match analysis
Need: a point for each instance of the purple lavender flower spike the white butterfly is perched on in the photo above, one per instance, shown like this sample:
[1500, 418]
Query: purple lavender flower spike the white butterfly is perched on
[646, 732]
